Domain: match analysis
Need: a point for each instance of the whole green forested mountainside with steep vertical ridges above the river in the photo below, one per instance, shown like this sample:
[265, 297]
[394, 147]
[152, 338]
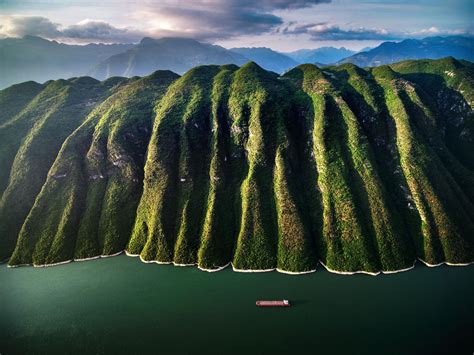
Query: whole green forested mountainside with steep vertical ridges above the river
[361, 169]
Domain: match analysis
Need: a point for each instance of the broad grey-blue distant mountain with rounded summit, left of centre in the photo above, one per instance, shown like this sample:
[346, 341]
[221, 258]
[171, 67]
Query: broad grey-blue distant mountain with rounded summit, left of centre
[175, 54]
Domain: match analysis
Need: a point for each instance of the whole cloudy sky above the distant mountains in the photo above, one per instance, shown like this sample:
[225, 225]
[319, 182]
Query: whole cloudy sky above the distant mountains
[280, 24]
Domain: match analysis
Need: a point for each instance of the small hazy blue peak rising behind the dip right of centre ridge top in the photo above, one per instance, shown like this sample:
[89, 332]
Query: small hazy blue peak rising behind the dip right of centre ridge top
[267, 58]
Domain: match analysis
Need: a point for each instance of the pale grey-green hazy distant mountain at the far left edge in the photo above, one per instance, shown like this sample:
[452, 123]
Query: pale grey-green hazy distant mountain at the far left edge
[37, 59]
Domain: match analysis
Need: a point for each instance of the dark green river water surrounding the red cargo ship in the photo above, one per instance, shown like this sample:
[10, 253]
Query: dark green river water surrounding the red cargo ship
[120, 305]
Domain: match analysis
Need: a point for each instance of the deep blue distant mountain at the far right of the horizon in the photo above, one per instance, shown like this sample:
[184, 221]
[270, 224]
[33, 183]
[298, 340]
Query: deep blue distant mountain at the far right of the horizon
[428, 48]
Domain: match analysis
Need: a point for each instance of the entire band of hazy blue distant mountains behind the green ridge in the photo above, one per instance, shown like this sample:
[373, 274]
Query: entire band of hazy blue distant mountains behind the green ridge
[37, 59]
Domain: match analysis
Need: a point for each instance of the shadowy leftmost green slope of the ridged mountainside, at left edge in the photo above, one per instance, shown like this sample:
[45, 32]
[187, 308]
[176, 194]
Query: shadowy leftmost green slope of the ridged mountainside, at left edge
[31, 139]
